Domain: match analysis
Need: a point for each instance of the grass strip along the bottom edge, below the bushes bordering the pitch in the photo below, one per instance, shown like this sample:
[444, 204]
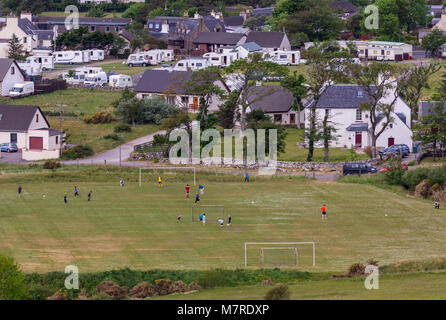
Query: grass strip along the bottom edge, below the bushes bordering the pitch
[403, 286]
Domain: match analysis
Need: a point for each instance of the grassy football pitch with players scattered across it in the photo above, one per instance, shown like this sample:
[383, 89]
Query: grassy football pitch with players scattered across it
[137, 227]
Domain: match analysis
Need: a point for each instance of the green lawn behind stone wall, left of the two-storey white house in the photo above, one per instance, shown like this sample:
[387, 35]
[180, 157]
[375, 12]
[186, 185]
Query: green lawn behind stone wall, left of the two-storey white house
[294, 153]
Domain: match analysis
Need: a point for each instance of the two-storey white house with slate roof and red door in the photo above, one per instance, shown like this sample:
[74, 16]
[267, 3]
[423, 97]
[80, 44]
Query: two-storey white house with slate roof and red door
[342, 103]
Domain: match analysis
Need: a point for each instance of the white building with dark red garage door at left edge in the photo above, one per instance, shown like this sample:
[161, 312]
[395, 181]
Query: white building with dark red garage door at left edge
[27, 127]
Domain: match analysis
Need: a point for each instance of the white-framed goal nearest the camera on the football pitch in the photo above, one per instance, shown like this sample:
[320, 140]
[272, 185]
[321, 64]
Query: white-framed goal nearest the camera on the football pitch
[280, 254]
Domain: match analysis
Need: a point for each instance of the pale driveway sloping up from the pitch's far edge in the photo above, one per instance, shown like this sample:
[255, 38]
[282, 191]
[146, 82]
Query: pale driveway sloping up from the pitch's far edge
[117, 155]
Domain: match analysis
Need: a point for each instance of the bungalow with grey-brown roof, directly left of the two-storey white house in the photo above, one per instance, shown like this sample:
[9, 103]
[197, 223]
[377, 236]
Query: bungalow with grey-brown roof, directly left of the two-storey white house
[276, 102]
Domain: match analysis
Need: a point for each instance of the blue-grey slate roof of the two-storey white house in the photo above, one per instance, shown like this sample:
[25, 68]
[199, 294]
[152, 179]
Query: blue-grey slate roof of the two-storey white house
[343, 97]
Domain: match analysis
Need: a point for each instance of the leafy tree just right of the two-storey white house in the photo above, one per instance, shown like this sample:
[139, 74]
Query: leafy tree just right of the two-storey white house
[417, 79]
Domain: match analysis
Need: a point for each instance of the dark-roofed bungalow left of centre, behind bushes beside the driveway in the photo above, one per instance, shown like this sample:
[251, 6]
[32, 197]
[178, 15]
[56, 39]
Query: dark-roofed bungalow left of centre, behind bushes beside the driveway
[172, 86]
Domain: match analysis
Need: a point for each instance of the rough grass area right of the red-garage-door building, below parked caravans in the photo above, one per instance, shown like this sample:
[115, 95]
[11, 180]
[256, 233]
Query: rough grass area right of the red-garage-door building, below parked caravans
[76, 104]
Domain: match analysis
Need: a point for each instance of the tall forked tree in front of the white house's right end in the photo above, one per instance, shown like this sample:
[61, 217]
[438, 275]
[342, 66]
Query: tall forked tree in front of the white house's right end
[380, 83]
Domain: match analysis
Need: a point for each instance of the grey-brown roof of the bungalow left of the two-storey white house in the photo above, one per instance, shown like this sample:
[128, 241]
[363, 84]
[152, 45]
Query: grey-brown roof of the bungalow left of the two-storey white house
[270, 99]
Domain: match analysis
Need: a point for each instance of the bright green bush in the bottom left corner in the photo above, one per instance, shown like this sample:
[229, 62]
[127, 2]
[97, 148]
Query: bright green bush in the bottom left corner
[12, 280]
